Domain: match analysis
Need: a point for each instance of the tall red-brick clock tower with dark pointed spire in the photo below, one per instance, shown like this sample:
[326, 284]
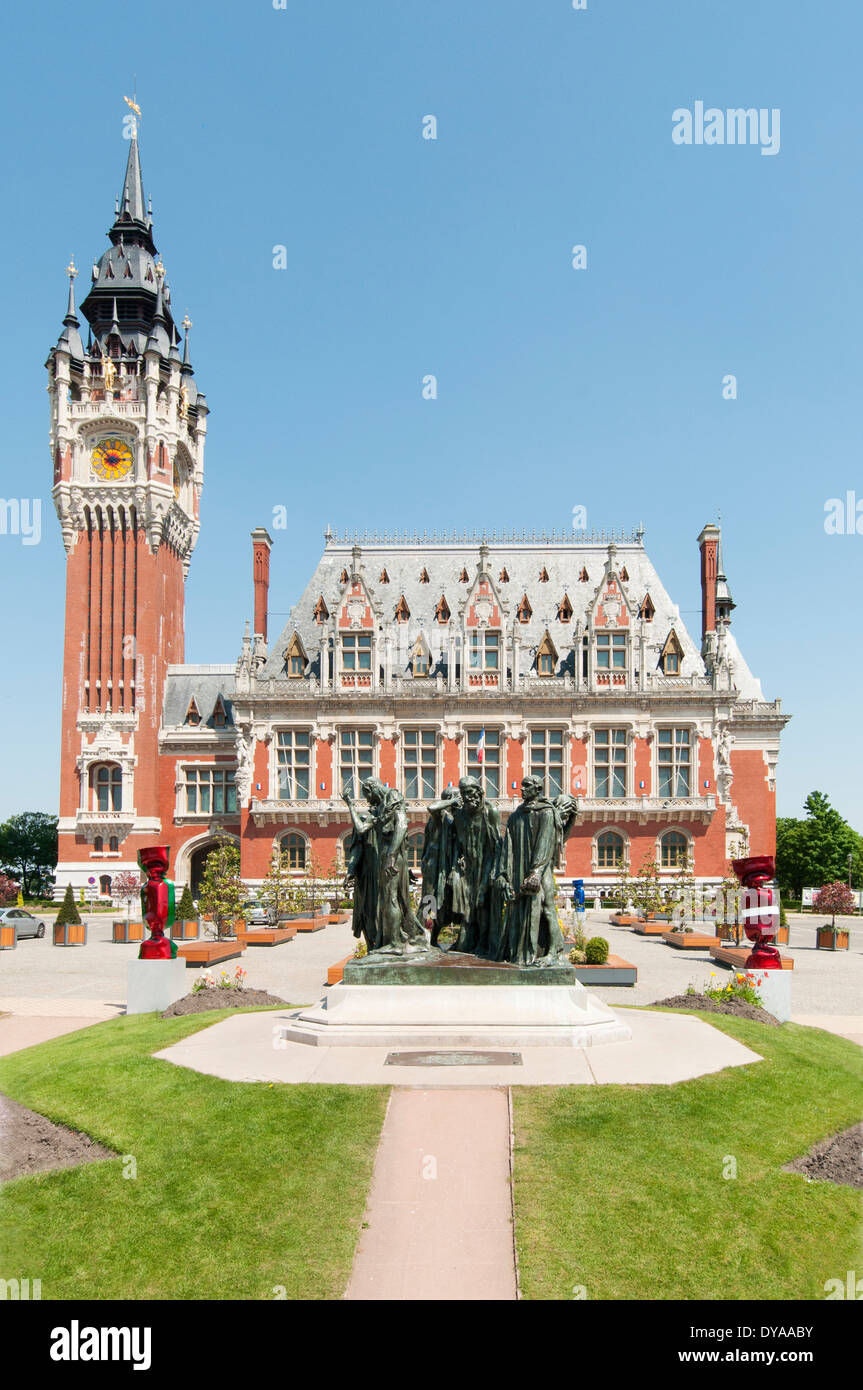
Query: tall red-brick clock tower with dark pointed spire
[129, 429]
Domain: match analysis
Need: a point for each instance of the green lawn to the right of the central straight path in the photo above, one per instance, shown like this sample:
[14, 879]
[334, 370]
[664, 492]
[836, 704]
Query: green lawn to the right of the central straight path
[620, 1189]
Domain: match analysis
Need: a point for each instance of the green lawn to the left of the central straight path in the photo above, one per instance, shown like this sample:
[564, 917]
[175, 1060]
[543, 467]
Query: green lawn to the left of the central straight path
[240, 1188]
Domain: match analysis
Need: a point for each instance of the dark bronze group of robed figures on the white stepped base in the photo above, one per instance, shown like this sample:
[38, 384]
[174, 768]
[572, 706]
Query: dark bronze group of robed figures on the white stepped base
[495, 890]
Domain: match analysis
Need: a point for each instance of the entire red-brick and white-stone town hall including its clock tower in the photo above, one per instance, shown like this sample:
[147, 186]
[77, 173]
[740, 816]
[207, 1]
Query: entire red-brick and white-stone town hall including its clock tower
[416, 658]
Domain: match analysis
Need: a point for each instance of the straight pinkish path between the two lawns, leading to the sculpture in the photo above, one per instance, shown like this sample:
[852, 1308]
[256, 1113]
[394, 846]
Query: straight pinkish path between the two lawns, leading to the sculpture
[440, 1214]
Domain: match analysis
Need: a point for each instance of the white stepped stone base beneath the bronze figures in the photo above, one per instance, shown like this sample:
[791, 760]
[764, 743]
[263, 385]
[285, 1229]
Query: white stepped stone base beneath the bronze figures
[493, 1015]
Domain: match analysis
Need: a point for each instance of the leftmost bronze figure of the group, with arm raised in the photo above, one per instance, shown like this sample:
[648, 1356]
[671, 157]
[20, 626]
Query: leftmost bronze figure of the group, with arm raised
[376, 858]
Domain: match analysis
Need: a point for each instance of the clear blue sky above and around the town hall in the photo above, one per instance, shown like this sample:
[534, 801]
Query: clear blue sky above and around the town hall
[601, 387]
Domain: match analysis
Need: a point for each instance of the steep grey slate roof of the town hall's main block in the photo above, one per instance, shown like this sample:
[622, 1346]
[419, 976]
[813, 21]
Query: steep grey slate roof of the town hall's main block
[562, 559]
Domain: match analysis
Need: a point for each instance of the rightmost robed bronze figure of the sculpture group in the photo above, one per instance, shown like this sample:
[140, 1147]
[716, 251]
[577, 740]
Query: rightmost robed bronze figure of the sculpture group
[534, 839]
